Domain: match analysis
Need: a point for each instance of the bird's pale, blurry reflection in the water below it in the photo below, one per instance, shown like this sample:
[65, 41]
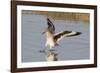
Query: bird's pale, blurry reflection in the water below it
[50, 55]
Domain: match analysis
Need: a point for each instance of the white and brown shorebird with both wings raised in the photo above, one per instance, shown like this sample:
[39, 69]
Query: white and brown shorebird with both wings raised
[52, 38]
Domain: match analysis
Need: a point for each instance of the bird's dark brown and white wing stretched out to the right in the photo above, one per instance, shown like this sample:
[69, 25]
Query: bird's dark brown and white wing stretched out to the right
[63, 34]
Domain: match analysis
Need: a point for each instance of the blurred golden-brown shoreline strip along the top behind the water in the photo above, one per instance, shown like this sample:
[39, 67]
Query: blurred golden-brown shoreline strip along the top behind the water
[62, 15]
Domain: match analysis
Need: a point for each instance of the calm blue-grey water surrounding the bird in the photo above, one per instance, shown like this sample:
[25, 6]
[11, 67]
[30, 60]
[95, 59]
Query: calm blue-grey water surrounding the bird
[71, 48]
